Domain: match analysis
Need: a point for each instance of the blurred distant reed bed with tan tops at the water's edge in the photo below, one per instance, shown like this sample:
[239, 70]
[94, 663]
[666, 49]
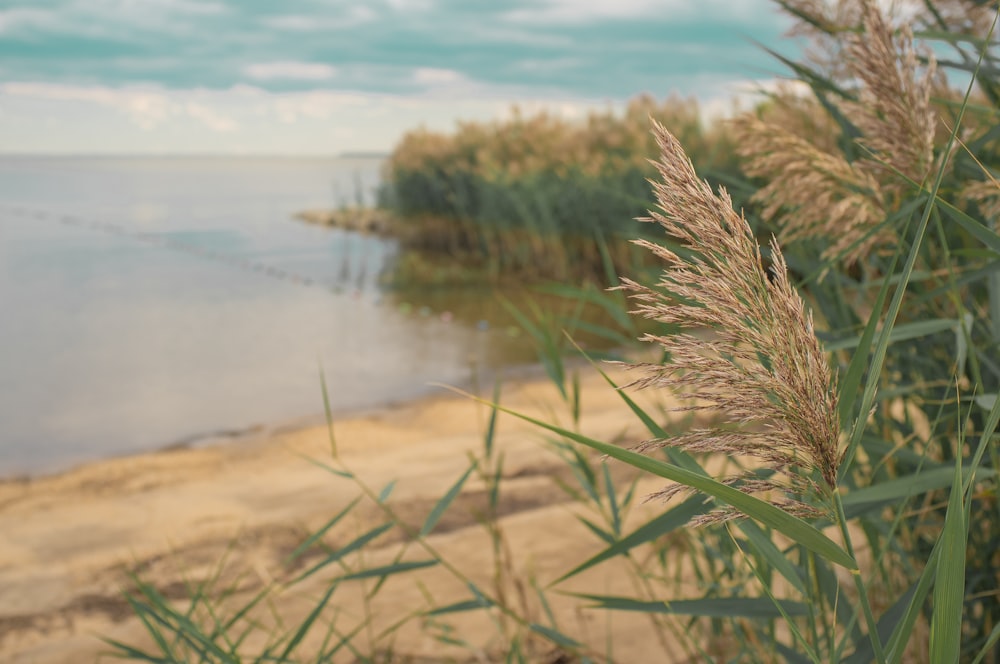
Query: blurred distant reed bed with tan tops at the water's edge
[537, 196]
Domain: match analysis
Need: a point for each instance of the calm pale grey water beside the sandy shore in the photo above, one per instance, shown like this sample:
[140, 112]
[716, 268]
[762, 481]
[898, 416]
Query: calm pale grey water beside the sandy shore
[149, 301]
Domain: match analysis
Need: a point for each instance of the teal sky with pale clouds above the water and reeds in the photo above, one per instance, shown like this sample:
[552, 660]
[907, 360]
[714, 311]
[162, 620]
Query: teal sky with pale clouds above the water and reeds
[323, 77]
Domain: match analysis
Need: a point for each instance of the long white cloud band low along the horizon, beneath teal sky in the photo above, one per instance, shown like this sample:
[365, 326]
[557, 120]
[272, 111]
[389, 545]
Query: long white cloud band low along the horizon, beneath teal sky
[63, 119]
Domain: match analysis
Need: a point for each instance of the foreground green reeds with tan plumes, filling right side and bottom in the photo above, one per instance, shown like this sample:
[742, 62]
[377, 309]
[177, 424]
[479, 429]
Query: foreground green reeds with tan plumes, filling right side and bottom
[844, 377]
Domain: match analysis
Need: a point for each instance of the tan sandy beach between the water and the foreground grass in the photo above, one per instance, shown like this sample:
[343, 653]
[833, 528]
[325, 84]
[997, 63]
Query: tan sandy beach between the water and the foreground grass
[69, 541]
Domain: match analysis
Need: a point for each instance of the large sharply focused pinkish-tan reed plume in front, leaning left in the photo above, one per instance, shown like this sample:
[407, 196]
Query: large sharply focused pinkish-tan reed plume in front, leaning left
[747, 346]
